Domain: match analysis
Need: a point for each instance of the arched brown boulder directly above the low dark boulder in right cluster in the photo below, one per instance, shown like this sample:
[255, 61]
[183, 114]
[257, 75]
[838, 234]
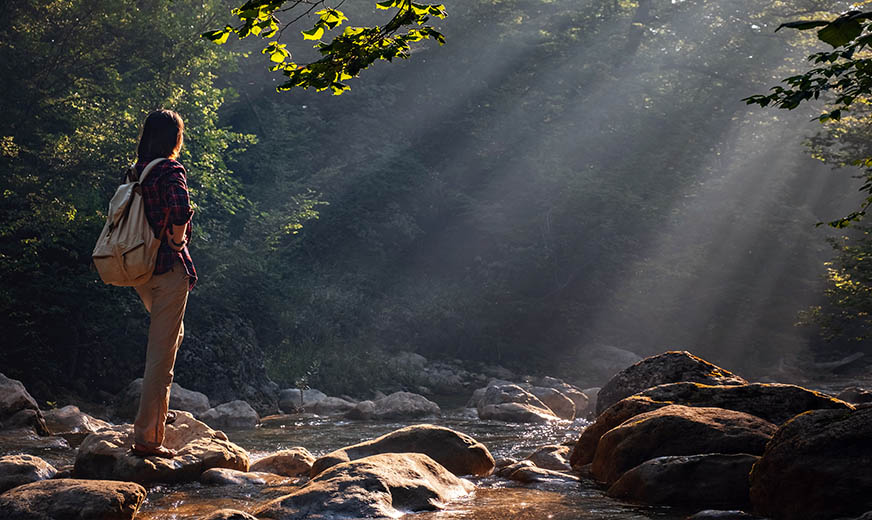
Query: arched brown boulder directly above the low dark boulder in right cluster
[677, 430]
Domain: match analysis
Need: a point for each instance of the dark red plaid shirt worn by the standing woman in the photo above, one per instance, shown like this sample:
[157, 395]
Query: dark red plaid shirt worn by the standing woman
[166, 187]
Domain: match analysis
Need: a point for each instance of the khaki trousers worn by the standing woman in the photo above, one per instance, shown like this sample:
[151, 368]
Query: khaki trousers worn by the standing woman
[165, 297]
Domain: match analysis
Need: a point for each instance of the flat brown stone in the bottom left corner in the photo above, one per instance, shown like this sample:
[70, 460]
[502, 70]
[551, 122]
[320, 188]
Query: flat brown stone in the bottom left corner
[70, 499]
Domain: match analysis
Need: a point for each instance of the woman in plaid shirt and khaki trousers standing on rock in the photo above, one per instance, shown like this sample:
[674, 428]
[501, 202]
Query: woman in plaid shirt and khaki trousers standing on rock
[165, 295]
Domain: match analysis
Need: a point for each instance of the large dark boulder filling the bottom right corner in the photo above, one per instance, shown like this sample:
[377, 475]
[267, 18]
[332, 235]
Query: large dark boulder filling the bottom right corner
[816, 466]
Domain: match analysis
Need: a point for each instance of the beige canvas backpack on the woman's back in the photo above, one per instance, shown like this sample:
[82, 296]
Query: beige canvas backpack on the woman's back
[126, 251]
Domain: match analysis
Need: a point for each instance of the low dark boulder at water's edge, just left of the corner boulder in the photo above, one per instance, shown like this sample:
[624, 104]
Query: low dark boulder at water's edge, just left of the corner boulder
[712, 480]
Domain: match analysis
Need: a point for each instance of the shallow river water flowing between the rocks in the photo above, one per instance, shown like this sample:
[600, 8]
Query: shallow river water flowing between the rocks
[494, 499]
